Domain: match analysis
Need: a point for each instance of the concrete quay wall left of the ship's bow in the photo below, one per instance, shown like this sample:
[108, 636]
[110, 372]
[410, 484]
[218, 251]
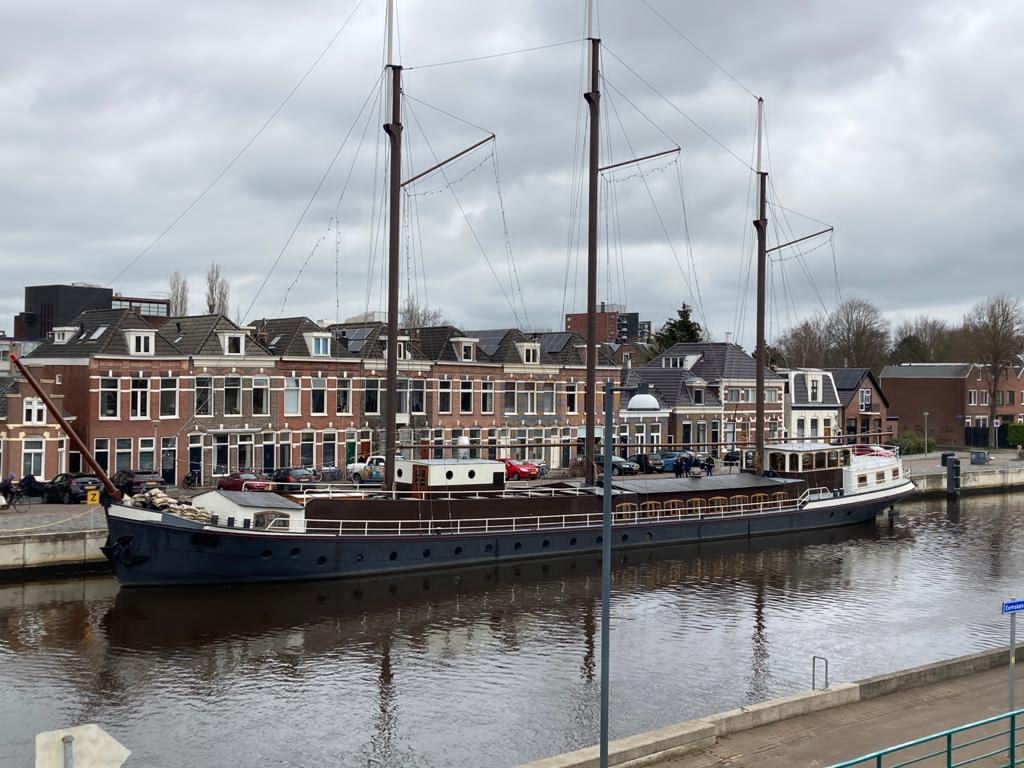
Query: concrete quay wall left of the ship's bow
[24, 553]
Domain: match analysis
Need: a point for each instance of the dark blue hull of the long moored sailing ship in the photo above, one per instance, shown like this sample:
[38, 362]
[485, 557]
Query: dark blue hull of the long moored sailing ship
[151, 548]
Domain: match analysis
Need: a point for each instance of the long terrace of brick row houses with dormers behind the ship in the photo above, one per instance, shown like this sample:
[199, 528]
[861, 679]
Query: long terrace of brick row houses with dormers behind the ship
[204, 395]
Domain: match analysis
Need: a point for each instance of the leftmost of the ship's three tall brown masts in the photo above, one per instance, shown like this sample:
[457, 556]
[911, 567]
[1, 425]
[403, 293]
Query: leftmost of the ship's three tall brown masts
[394, 131]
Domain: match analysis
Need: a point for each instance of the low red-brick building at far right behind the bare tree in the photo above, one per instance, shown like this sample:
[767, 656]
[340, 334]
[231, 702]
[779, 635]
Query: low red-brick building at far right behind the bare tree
[955, 397]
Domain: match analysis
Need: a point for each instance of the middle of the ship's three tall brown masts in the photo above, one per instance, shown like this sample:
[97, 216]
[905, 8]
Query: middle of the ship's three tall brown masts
[593, 98]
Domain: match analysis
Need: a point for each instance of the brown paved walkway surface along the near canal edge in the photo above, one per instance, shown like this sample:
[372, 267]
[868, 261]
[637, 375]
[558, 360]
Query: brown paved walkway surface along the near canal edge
[829, 737]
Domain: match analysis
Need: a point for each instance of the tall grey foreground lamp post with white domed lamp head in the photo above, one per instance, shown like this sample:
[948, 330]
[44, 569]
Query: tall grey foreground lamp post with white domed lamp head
[641, 402]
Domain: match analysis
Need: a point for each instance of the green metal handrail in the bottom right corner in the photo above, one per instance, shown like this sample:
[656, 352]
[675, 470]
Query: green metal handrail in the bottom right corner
[947, 748]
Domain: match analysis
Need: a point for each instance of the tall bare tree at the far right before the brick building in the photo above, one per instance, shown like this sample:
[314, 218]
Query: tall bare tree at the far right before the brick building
[996, 329]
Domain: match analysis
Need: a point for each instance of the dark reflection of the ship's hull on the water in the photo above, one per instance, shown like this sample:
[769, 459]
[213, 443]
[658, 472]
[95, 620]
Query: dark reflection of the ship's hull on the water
[413, 607]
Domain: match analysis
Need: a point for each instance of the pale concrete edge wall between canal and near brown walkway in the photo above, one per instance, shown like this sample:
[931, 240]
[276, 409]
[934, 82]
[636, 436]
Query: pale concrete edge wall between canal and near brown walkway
[654, 747]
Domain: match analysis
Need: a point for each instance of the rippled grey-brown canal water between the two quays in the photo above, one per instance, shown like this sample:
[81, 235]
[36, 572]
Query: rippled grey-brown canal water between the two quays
[497, 666]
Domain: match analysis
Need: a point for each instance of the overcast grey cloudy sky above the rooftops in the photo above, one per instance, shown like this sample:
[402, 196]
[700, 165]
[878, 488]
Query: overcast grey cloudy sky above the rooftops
[894, 122]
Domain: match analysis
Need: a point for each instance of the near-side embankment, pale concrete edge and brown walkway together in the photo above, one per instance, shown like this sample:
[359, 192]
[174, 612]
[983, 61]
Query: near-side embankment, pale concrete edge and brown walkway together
[787, 732]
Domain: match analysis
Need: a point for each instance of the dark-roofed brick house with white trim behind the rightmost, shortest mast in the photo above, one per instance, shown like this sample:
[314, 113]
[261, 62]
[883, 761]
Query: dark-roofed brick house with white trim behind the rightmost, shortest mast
[708, 391]
